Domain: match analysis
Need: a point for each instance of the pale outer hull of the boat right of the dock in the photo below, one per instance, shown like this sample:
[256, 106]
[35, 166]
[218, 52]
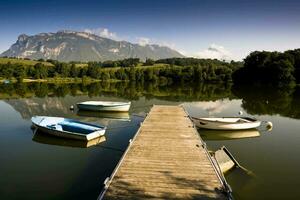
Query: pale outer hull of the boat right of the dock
[221, 125]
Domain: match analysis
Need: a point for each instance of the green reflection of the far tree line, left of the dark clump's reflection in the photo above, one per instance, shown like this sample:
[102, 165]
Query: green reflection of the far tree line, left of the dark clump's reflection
[128, 90]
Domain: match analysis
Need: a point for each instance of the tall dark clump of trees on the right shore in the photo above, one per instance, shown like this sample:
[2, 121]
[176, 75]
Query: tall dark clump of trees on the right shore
[271, 68]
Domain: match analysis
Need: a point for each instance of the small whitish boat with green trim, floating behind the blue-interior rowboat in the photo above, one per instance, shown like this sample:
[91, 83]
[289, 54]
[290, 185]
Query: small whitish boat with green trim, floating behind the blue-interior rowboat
[104, 106]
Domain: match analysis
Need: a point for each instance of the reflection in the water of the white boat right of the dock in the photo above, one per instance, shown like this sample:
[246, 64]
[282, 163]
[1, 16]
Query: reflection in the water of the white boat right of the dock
[228, 135]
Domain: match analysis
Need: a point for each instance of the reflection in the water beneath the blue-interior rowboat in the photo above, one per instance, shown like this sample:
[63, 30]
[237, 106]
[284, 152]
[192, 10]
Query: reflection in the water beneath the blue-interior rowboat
[40, 137]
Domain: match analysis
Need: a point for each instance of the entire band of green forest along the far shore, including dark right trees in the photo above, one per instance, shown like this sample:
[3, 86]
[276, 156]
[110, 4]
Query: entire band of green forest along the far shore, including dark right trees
[259, 67]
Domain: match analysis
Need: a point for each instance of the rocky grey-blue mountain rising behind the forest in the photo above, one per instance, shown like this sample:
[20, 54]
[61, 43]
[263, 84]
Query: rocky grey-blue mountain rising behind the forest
[82, 46]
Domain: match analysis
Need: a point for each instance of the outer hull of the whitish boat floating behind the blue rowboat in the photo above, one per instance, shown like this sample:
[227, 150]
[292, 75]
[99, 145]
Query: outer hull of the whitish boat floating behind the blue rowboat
[108, 108]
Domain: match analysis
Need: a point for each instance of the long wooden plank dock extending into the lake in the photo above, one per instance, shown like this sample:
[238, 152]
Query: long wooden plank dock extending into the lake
[165, 160]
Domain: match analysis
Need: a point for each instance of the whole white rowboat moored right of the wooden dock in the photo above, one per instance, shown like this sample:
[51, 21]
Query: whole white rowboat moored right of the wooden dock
[226, 123]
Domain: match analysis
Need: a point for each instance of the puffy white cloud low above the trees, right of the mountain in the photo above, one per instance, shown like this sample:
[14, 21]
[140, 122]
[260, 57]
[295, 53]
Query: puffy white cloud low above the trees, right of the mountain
[214, 51]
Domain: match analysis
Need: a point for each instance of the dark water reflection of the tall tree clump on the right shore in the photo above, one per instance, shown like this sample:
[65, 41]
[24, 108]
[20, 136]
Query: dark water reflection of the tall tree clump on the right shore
[269, 100]
